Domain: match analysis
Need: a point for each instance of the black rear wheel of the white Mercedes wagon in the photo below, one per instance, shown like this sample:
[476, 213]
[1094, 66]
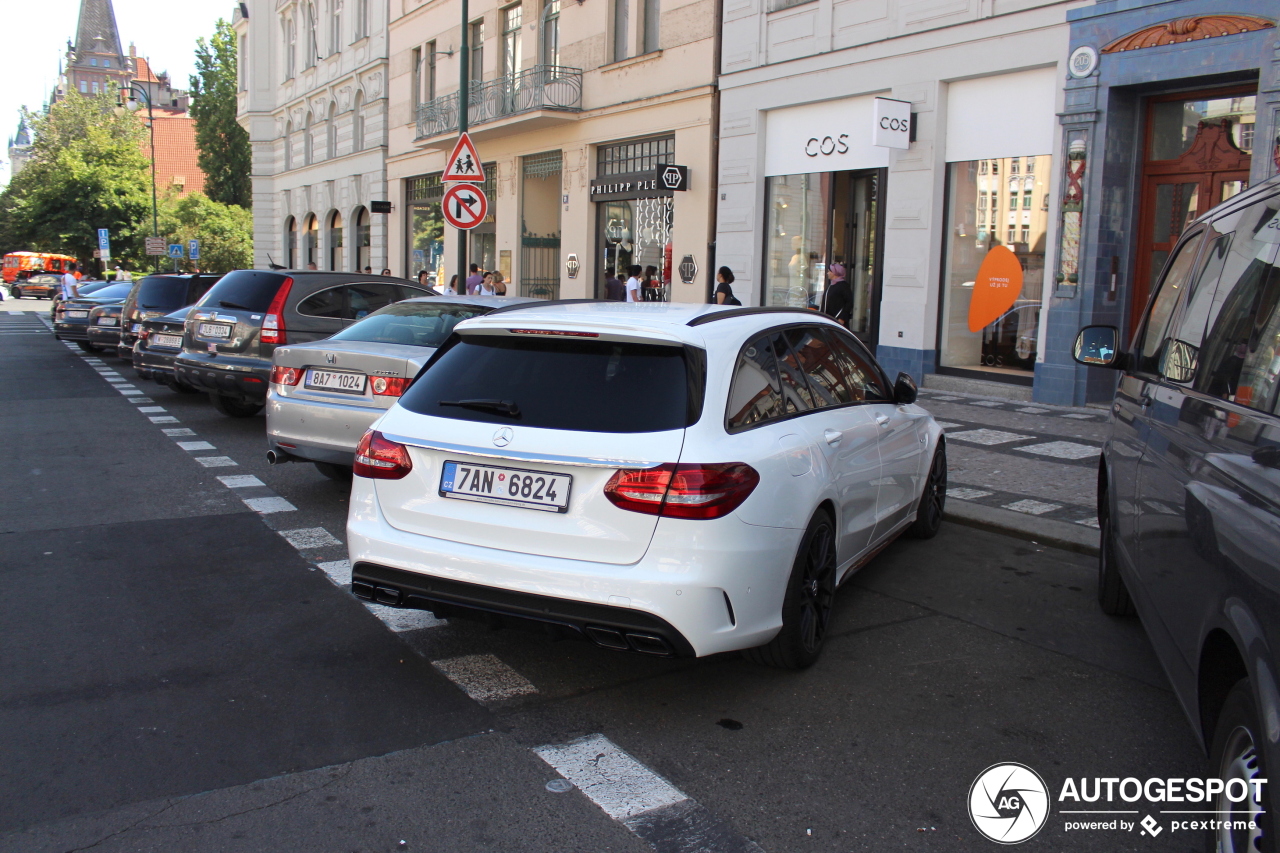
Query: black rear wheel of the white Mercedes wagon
[808, 603]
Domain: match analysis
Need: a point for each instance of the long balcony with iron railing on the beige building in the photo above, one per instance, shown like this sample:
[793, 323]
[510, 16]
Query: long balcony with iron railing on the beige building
[542, 95]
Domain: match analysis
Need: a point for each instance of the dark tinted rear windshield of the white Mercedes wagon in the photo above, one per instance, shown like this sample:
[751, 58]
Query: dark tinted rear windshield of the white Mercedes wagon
[583, 386]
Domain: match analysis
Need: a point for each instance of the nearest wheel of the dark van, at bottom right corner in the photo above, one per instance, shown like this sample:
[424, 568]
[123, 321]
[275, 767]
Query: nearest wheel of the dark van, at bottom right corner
[1240, 752]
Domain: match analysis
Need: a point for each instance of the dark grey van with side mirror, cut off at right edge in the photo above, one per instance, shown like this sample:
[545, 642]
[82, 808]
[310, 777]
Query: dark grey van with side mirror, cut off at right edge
[1190, 491]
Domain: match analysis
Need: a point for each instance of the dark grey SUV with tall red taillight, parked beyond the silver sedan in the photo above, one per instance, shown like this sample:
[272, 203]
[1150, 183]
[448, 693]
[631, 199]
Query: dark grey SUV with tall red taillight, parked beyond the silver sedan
[234, 332]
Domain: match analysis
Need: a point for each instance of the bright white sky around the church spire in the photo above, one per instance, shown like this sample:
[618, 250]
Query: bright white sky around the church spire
[164, 33]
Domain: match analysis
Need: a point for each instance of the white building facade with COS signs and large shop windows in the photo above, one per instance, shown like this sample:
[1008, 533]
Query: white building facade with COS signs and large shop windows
[803, 185]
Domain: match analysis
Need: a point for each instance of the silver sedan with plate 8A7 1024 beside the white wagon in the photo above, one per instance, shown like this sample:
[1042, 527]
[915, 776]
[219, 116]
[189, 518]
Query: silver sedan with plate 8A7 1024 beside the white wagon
[326, 395]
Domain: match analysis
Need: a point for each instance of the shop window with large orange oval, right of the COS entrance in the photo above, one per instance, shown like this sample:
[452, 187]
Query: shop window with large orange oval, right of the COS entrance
[993, 323]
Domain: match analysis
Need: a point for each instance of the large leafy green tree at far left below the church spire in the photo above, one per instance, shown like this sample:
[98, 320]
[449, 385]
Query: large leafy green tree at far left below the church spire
[89, 172]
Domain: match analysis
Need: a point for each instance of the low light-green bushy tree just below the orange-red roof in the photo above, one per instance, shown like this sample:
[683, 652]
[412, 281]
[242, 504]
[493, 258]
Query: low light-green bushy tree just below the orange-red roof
[226, 232]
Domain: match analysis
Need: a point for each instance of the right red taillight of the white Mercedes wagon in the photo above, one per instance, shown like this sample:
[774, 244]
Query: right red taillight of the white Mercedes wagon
[683, 491]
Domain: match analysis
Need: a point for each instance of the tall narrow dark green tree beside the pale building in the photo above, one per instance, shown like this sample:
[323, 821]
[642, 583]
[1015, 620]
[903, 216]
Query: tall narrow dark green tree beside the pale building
[225, 153]
